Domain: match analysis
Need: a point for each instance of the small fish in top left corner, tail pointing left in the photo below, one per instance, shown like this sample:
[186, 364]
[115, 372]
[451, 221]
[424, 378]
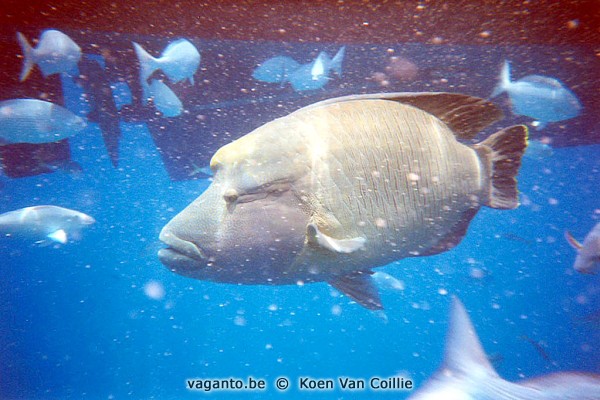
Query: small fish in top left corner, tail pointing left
[55, 53]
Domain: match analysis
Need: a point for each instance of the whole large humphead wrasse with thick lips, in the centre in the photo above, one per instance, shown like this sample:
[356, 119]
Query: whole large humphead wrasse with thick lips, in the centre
[339, 187]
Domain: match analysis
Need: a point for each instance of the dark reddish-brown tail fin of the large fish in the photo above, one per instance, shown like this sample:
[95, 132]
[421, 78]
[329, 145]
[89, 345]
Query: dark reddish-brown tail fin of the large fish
[501, 155]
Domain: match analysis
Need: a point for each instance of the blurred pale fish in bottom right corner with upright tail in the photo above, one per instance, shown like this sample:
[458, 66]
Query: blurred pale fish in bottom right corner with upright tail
[466, 373]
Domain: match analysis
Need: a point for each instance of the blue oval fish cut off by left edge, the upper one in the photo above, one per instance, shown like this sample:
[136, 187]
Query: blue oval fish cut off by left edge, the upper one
[36, 121]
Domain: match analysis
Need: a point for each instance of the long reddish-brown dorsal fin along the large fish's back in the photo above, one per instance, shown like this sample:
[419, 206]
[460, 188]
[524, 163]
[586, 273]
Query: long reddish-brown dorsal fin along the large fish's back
[465, 115]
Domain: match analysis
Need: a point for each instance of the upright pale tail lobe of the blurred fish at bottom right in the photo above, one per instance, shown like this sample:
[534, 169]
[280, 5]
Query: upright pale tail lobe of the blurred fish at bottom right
[464, 352]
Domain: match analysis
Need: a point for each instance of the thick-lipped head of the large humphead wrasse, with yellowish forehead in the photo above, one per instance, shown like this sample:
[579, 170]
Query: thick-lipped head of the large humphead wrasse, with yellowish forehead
[249, 225]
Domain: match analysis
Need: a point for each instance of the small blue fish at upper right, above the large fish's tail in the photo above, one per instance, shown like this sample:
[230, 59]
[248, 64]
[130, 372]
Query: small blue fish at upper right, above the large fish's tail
[542, 98]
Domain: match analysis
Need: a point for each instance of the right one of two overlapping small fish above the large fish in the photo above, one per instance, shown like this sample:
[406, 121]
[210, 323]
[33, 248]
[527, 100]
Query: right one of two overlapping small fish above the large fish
[315, 75]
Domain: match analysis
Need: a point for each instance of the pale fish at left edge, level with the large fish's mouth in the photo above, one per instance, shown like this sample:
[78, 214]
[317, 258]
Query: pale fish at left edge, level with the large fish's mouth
[44, 223]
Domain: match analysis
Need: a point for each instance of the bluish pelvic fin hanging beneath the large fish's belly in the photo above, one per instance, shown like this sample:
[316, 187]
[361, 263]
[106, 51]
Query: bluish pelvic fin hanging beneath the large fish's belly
[360, 287]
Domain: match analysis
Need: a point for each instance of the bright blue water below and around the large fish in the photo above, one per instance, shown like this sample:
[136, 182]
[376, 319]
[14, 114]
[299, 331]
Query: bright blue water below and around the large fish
[75, 321]
